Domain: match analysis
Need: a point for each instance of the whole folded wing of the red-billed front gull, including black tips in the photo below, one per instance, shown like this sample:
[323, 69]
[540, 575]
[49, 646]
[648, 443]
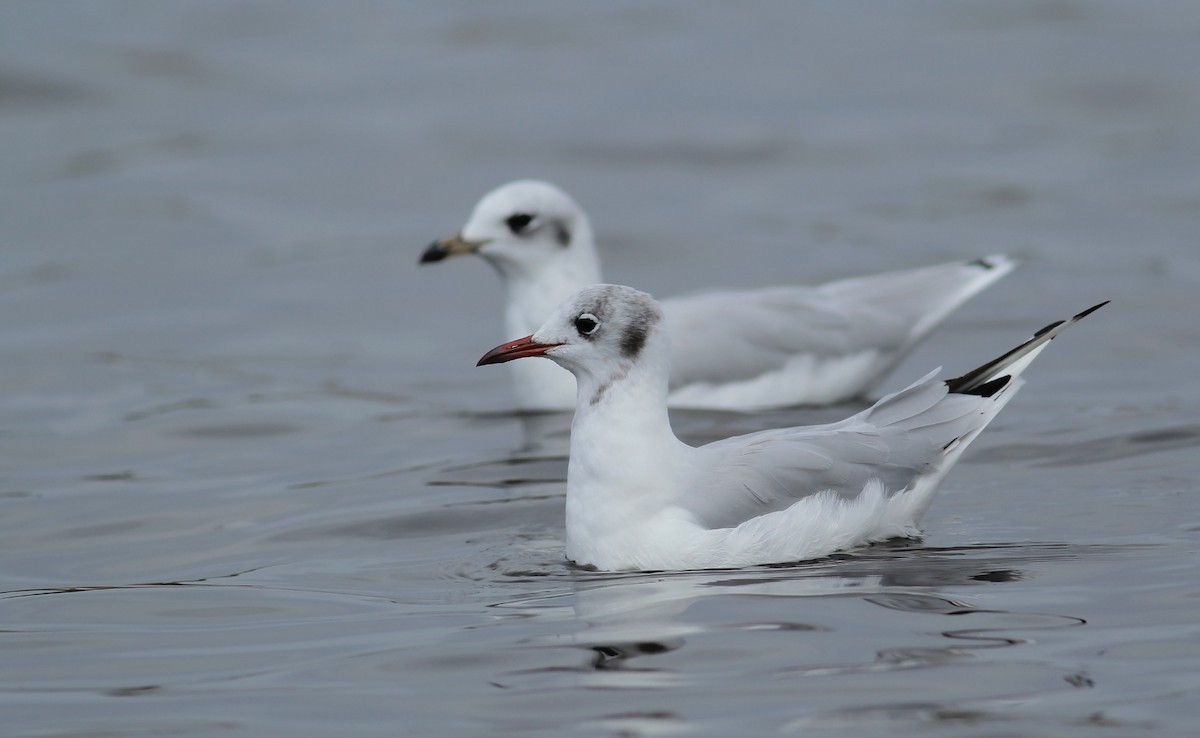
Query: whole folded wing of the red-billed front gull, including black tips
[908, 439]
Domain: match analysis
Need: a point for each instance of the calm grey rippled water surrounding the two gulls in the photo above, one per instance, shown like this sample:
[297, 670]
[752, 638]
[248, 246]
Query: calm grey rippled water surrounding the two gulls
[251, 483]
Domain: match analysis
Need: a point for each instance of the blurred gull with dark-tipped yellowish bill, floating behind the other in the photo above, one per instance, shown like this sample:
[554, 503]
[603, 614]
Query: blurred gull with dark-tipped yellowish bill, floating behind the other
[781, 347]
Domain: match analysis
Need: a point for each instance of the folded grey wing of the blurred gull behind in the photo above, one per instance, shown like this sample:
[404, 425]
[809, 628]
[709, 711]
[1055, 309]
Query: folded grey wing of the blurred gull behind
[727, 337]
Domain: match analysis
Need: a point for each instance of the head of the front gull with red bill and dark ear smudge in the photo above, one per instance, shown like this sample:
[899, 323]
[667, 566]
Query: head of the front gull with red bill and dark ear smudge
[602, 332]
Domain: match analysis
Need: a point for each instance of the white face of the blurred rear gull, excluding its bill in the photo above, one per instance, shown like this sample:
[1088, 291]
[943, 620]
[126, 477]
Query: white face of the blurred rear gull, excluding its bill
[524, 226]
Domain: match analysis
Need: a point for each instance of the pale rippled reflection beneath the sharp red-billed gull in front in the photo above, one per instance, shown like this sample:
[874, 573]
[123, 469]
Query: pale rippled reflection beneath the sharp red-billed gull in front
[626, 623]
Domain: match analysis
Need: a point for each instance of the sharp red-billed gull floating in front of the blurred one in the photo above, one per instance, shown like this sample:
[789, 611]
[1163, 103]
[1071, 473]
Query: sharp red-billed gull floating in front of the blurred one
[639, 499]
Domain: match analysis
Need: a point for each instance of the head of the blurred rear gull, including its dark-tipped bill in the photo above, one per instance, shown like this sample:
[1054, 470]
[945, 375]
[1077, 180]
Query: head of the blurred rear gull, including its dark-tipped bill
[521, 229]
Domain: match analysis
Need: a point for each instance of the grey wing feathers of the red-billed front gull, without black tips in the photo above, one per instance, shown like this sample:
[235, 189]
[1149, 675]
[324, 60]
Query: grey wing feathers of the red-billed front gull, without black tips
[899, 440]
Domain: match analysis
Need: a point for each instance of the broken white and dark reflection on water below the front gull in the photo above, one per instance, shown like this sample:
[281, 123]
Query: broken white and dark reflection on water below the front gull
[644, 622]
